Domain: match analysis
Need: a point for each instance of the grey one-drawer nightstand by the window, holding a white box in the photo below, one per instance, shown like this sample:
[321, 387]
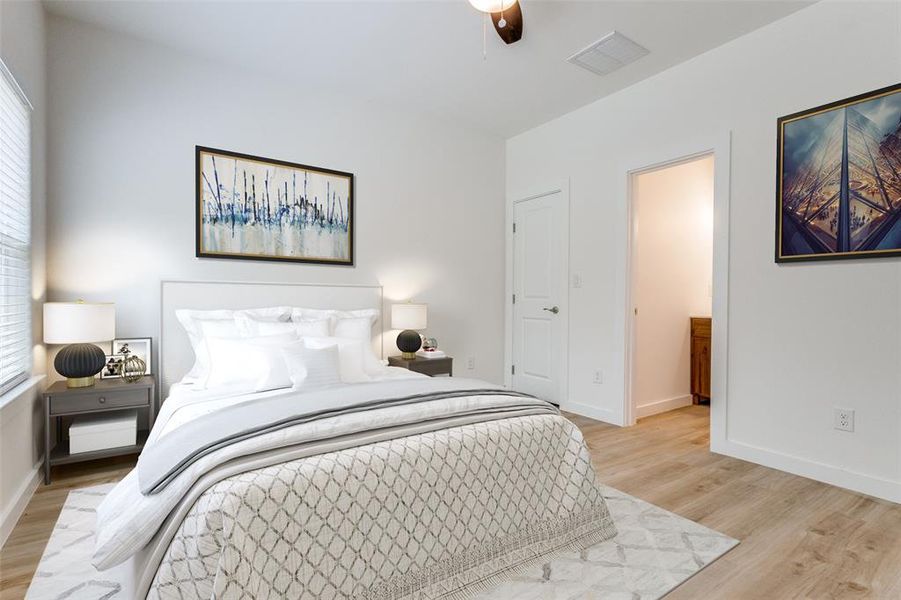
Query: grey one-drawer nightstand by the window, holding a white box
[106, 395]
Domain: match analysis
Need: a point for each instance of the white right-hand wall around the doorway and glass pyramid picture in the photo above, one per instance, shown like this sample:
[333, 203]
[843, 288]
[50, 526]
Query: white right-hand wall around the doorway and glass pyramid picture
[803, 339]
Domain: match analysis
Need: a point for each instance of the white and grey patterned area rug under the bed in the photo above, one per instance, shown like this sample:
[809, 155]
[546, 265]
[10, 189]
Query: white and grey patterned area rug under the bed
[654, 551]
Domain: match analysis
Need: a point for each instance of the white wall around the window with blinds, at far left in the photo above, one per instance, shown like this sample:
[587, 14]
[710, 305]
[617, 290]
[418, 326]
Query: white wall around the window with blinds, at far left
[22, 47]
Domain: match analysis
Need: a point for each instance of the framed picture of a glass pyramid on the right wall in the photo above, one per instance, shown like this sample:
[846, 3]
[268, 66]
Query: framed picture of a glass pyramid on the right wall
[838, 189]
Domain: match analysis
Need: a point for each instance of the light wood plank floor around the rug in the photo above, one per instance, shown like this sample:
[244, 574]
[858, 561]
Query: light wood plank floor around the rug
[799, 538]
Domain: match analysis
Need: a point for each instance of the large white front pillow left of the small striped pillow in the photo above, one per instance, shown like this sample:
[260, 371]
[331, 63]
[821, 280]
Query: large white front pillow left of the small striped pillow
[253, 363]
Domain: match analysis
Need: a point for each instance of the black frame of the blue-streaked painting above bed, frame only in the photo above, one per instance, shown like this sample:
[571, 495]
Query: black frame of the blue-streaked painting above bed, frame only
[200, 252]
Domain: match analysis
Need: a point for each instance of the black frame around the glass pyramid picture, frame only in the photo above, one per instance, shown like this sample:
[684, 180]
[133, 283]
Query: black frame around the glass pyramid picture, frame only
[781, 256]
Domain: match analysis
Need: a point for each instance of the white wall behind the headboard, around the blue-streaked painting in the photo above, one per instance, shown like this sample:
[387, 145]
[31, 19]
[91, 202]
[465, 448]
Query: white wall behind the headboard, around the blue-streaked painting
[125, 116]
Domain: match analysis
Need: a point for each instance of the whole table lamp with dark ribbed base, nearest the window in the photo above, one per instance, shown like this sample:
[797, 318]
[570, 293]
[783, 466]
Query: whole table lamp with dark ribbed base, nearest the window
[79, 324]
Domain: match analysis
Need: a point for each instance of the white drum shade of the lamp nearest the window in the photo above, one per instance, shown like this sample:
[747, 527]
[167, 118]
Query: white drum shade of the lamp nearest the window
[79, 322]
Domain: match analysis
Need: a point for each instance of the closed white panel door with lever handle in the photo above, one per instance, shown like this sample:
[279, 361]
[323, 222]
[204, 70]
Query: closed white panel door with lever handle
[539, 287]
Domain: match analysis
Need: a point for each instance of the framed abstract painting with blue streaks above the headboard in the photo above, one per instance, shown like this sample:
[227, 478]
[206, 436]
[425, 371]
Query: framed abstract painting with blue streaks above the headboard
[255, 208]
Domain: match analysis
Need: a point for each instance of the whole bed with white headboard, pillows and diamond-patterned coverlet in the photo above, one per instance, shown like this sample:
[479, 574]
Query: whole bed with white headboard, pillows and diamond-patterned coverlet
[356, 480]
